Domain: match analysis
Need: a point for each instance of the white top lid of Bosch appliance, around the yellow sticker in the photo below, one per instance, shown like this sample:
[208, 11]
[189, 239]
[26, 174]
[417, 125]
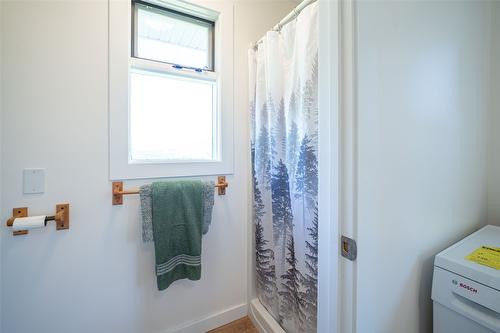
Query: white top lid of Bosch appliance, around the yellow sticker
[453, 258]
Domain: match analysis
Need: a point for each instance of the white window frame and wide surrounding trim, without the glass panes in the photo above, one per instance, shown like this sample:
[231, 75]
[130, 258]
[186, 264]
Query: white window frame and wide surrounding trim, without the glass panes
[120, 62]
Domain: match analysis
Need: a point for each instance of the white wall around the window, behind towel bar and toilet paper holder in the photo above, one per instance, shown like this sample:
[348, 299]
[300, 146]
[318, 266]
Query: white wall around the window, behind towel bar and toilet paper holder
[97, 276]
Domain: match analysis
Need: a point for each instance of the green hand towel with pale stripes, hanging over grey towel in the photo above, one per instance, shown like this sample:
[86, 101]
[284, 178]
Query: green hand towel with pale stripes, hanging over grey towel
[177, 228]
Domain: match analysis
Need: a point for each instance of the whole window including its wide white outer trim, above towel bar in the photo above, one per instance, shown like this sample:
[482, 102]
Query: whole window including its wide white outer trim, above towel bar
[170, 72]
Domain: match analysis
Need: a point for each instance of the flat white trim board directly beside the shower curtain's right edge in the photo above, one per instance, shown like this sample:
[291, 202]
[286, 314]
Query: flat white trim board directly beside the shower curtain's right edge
[329, 167]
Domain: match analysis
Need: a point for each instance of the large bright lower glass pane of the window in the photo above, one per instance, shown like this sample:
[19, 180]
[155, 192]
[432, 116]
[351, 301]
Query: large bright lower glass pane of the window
[172, 118]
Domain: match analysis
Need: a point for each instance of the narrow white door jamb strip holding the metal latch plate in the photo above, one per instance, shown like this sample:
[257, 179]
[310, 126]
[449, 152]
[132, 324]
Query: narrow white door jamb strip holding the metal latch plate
[348, 177]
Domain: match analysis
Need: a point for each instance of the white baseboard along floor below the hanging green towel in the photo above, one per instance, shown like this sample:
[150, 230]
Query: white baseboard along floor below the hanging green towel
[212, 321]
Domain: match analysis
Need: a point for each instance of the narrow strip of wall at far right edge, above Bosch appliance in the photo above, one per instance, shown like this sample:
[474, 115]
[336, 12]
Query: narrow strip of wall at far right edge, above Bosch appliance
[494, 165]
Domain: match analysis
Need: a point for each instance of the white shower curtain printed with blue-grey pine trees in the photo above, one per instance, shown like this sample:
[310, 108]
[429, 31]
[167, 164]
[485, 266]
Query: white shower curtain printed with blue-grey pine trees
[284, 144]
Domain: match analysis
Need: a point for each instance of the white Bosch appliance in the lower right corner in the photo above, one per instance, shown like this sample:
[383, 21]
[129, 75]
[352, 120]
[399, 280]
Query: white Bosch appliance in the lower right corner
[466, 295]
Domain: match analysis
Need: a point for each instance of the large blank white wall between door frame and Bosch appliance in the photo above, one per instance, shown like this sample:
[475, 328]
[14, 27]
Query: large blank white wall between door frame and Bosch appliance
[423, 103]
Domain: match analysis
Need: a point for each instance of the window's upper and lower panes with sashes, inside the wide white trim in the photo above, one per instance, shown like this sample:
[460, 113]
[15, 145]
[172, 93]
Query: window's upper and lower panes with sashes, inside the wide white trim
[173, 90]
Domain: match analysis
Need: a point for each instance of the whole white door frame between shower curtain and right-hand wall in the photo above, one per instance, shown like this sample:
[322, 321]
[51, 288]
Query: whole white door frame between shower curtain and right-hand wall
[337, 164]
